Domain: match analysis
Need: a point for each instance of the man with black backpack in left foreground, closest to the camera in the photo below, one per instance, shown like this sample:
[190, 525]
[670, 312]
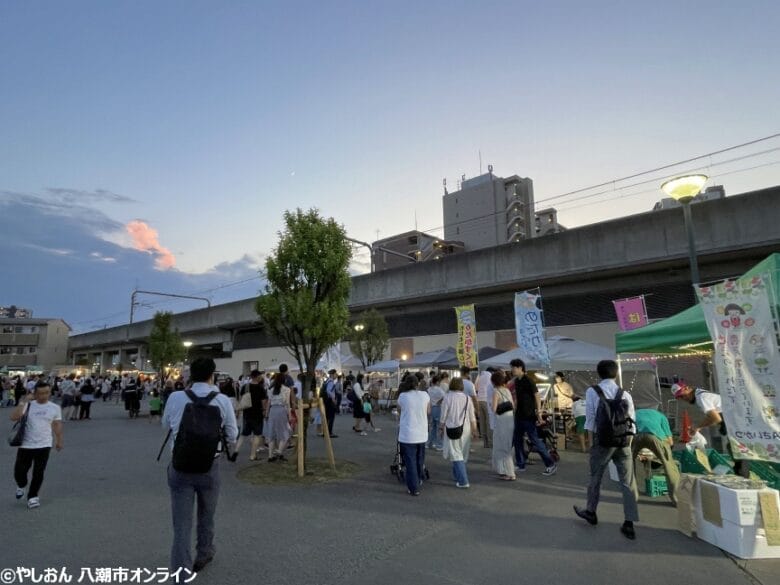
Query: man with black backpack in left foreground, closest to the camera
[202, 423]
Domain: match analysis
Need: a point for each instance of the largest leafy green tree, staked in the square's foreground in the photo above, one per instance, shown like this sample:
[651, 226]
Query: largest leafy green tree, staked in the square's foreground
[305, 300]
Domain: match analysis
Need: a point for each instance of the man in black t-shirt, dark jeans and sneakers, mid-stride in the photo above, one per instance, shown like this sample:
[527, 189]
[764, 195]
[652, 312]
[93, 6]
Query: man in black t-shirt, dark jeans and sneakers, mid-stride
[528, 414]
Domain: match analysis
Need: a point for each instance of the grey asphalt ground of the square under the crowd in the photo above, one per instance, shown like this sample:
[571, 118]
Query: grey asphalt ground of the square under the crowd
[105, 504]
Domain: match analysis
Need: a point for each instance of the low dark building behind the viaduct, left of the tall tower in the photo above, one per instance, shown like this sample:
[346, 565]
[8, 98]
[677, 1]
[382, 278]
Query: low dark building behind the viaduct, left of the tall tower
[412, 246]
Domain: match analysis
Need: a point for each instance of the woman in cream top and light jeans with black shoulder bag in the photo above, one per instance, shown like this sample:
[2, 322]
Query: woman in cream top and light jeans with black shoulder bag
[457, 410]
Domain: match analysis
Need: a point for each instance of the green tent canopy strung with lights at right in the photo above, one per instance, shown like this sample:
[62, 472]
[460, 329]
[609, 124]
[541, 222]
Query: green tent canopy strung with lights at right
[689, 327]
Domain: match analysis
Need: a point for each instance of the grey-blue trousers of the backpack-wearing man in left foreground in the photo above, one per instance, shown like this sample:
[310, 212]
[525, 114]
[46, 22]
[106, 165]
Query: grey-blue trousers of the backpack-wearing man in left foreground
[185, 487]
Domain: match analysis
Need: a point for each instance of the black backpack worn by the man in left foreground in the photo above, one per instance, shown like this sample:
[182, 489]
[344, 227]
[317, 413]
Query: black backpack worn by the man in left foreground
[199, 435]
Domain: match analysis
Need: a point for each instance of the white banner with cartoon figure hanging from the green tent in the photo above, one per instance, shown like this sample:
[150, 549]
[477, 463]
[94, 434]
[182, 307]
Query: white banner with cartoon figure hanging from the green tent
[739, 318]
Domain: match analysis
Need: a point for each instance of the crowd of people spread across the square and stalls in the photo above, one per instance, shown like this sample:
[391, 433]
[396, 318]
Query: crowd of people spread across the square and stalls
[435, 411]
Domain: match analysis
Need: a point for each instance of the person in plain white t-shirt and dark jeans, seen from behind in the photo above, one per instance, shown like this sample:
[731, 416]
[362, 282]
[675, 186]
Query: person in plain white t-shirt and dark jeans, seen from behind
[414, 405]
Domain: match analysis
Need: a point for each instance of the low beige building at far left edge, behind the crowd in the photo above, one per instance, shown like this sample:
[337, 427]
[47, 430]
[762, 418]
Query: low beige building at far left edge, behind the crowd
[33, 342]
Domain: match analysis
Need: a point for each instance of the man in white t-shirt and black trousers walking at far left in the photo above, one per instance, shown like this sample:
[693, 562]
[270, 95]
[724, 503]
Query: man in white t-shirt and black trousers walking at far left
[43, 419]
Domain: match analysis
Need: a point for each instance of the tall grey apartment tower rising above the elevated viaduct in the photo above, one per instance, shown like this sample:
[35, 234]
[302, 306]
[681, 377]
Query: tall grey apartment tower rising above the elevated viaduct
[488, 211]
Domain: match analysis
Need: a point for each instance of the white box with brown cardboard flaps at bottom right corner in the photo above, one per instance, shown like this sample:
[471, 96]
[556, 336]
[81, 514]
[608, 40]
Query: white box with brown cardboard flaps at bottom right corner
[731, 520]
